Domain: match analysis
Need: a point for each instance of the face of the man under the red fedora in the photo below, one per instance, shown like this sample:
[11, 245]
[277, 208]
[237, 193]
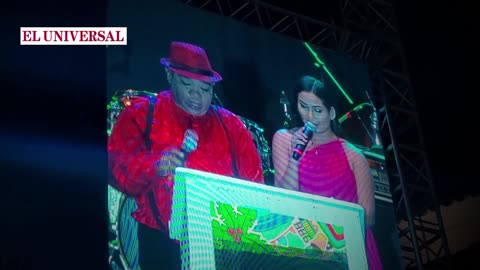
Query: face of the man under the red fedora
[193, 96]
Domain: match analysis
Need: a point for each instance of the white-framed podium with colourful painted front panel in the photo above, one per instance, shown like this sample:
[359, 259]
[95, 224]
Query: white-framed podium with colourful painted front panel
[227, 223]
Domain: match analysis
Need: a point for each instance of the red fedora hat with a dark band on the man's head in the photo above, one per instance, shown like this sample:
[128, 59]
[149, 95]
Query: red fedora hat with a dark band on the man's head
[190, 61]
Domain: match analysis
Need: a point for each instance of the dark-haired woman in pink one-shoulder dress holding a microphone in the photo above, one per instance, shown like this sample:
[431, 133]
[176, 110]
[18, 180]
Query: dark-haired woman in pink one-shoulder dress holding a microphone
[329, 166]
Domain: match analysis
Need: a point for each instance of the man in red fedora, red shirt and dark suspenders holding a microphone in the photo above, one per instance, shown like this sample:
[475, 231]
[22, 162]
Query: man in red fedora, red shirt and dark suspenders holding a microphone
[186, 130]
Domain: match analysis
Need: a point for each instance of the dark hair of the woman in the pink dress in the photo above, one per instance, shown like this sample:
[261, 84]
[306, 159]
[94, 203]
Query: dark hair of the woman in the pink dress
[327, 94]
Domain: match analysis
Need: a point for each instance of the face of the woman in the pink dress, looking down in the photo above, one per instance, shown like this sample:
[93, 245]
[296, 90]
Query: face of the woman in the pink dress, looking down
[312, 109]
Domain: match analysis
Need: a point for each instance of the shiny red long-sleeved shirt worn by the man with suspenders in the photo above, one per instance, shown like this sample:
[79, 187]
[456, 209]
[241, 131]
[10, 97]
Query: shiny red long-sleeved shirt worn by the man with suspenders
[134, 168]
